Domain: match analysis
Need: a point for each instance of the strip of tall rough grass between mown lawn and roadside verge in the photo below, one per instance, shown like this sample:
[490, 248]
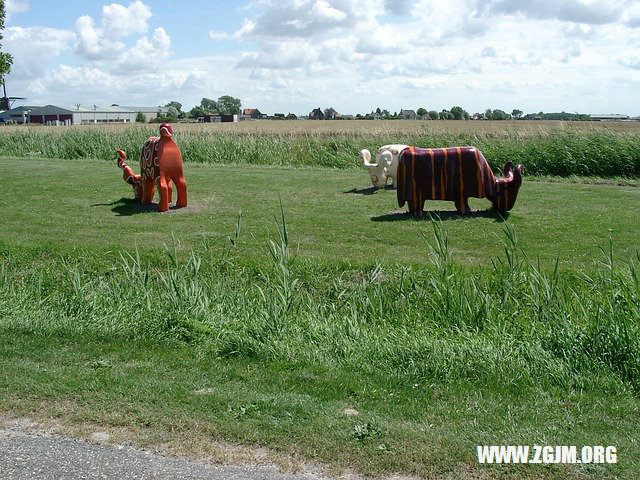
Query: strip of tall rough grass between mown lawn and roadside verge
[514, 323]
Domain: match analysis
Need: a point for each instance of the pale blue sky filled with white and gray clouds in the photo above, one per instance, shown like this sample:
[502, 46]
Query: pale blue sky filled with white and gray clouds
[354, 55]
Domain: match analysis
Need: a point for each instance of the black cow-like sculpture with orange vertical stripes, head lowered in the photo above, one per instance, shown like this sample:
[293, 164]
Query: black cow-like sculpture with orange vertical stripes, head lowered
[453, 174]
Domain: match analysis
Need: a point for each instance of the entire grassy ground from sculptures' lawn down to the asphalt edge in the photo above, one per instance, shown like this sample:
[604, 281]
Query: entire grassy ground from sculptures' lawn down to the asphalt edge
[269, 327]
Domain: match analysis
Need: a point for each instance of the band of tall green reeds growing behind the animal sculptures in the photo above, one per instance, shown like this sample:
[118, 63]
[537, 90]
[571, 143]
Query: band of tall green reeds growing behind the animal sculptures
[558, 152]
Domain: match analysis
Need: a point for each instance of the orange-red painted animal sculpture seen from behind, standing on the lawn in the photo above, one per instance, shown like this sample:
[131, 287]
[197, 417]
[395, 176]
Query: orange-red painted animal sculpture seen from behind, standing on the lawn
[160, 164]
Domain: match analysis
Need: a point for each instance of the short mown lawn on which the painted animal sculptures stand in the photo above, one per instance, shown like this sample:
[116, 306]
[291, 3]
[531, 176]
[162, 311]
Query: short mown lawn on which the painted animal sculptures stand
[80, 204]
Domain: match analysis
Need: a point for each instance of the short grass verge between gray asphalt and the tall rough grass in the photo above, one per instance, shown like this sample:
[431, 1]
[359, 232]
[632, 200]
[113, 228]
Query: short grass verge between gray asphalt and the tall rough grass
[429, 428]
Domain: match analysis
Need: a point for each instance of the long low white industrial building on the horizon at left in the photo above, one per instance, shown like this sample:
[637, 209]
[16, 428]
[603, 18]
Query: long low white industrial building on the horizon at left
[78, 114]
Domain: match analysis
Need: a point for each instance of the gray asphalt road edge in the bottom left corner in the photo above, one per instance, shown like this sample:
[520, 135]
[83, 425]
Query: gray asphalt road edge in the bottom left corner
[40, 455]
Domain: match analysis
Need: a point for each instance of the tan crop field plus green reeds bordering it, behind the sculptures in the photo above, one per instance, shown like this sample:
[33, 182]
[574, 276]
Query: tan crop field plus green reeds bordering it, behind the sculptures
[544, 148]
